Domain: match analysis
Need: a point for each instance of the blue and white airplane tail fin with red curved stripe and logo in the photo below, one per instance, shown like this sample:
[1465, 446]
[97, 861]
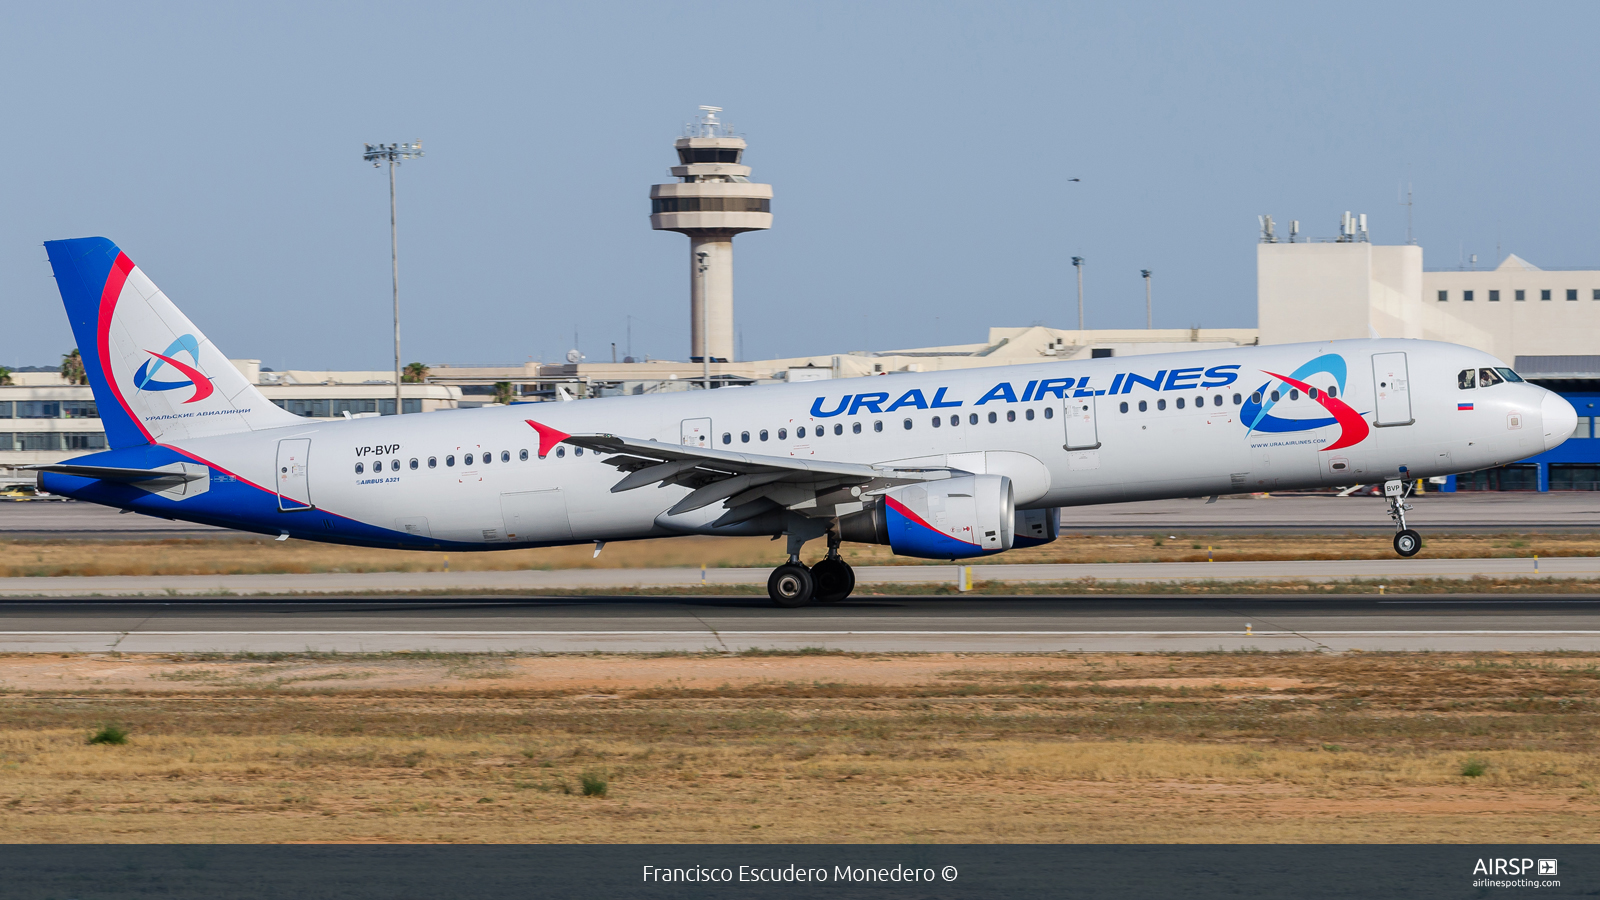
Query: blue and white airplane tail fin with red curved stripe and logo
[156, 377]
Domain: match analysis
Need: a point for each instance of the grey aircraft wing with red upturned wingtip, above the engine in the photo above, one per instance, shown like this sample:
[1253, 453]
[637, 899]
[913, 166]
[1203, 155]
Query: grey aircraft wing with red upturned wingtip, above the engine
[748, 484]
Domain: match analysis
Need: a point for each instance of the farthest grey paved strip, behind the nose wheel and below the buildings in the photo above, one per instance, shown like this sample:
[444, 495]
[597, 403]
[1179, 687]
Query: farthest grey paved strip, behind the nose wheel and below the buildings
[1508, 512]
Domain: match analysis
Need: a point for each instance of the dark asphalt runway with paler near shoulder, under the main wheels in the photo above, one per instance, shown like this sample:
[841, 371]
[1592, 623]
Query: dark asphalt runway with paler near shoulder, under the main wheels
[863, 625]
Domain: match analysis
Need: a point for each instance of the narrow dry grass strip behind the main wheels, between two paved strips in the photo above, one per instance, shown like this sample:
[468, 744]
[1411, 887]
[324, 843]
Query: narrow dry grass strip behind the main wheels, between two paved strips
[252, 556]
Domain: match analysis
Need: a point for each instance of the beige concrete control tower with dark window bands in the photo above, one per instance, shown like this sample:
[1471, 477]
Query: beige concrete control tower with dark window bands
[711, 203]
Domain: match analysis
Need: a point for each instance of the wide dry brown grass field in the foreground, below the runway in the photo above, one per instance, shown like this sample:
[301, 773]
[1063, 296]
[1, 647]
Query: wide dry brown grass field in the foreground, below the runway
[818, 747]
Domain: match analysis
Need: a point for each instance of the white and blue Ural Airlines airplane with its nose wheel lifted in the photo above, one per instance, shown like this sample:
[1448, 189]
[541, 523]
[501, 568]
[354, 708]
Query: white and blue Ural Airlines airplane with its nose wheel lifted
[948, 465]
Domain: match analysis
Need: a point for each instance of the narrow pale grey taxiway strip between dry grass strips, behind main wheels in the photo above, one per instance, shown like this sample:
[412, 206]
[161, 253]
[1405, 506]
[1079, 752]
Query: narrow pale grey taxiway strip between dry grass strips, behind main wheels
[535, 581]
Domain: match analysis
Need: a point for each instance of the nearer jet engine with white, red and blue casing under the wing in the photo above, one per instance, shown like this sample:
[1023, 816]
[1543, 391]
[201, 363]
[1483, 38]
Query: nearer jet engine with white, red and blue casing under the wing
[946, 520]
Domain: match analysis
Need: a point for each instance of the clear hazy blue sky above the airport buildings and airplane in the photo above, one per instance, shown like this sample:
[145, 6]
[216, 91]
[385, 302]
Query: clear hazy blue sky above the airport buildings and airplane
[919, 153]
